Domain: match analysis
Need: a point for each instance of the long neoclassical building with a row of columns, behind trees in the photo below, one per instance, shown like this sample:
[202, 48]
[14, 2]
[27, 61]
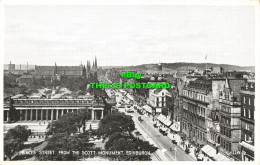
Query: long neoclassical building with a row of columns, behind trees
[50, 109]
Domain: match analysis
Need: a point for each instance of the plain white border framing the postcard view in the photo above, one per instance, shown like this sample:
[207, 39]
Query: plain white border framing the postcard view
[139, 2]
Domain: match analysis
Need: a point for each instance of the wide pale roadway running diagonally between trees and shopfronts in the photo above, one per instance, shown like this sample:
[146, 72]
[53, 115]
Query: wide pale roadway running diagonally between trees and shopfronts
[152, 134]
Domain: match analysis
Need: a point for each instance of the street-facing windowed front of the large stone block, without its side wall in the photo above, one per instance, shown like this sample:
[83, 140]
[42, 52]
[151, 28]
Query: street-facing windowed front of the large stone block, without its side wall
[196, 99]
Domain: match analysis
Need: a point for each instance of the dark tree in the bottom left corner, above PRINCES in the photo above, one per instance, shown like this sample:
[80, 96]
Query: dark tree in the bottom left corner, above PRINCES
[14, 140]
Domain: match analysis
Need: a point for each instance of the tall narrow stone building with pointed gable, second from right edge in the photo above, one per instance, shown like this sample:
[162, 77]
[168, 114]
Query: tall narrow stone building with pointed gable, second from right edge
[230, 112]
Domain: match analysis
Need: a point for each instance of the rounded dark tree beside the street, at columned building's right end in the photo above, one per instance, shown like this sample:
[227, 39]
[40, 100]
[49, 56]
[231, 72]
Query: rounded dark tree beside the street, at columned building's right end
[116, 122]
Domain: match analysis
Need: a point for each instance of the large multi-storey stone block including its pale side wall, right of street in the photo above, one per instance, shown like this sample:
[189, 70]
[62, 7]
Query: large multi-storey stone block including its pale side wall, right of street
[200, 100]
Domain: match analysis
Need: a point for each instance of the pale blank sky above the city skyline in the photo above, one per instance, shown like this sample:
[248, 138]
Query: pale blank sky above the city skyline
[129, 35]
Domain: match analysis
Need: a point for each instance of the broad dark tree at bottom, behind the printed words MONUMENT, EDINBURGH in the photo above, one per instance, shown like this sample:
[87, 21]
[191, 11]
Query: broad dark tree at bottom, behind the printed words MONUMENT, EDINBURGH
[122, 142]
